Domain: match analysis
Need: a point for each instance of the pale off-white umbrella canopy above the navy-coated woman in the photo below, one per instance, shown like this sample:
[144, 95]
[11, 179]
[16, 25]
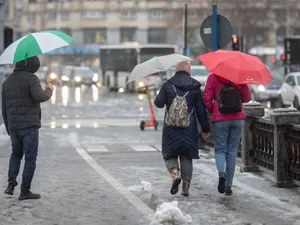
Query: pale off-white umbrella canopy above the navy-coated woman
[155, 65]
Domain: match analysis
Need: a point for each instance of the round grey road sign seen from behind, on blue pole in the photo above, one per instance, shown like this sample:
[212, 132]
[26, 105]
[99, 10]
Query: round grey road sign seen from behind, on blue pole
[225, 31]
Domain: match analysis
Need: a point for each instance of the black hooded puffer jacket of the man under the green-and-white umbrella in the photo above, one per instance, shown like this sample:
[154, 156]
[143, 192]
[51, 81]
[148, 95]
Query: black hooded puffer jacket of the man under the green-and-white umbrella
[21, 96]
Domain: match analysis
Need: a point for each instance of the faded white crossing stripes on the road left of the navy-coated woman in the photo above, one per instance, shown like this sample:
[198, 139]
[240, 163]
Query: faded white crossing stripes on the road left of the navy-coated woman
[117, 148]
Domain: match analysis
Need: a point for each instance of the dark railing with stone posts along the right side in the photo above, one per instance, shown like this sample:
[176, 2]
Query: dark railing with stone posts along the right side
[270, 144]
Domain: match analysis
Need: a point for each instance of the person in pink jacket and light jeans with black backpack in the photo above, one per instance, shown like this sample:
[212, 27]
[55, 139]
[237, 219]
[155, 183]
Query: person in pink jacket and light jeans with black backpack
[223, 100]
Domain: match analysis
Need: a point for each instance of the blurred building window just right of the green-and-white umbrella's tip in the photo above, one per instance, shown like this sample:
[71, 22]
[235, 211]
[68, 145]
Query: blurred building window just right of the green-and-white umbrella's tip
[94, 36]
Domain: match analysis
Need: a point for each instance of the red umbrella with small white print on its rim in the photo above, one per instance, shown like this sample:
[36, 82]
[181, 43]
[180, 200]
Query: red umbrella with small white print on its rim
[238, 67]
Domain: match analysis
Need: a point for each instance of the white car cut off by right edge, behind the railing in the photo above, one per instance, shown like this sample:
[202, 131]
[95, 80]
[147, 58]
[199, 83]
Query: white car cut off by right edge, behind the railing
[289, 92]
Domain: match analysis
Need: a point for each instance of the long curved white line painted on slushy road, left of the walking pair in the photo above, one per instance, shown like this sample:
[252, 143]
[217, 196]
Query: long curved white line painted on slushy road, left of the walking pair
[135, 201]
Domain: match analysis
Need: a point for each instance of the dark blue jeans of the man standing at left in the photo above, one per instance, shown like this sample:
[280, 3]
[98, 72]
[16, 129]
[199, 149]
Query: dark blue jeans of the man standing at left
[24, 142]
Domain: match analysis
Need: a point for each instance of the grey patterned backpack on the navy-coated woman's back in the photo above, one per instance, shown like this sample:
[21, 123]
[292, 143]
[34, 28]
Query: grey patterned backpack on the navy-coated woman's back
[178, 114]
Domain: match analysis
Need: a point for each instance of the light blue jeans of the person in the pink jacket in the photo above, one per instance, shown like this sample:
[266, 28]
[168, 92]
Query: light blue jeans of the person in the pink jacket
[227, 136]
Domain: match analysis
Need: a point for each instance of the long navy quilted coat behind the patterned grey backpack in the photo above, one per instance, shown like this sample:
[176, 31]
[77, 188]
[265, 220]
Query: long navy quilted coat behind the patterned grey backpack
[183, 141]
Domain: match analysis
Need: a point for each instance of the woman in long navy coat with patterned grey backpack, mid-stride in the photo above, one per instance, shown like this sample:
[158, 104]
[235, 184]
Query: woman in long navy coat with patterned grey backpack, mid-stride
[182, 97]
